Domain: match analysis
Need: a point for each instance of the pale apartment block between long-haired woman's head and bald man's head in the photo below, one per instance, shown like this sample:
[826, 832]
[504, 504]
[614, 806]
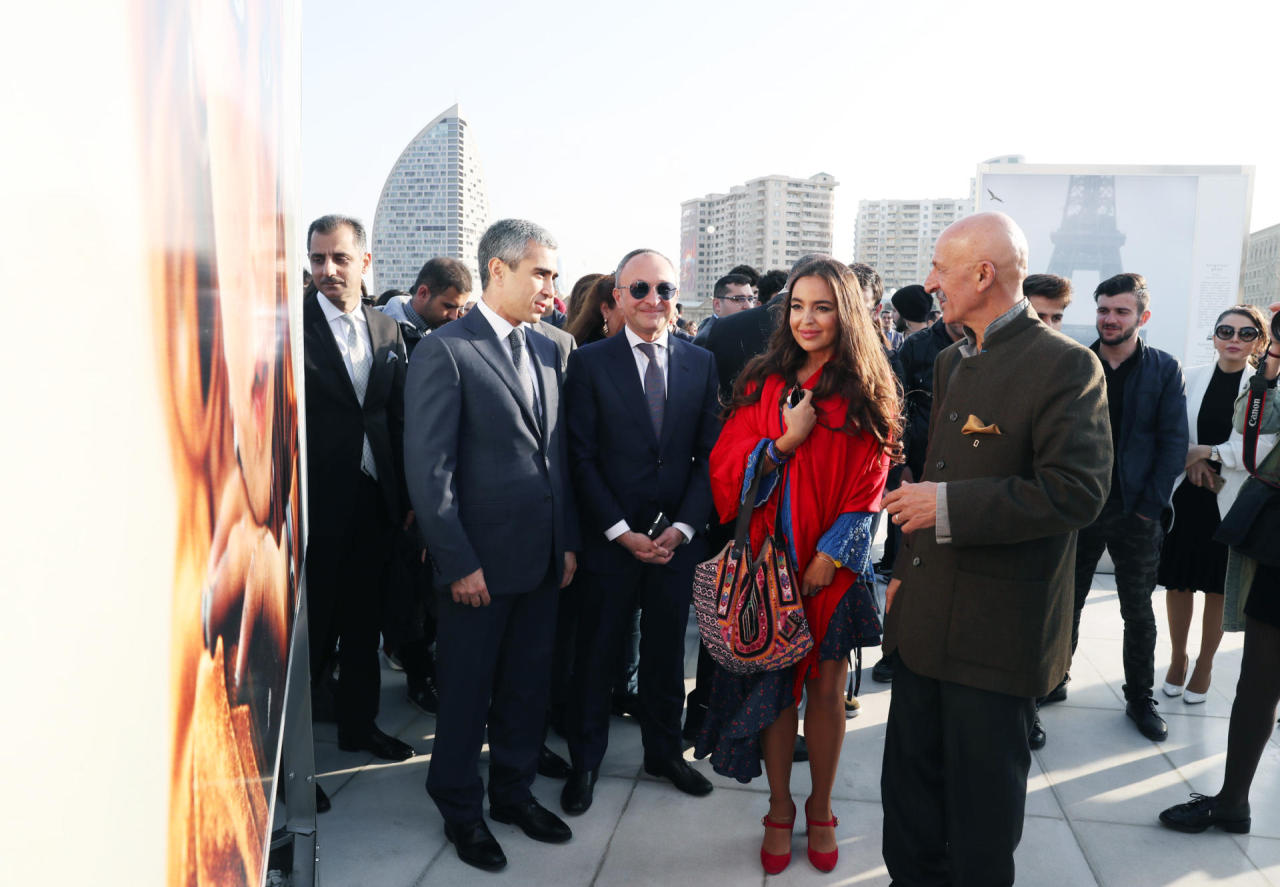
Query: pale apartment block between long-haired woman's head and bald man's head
[897, 237]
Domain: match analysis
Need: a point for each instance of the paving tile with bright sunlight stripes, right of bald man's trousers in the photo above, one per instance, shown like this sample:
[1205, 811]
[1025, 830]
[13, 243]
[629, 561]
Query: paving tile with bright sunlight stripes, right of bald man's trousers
[1104, 770]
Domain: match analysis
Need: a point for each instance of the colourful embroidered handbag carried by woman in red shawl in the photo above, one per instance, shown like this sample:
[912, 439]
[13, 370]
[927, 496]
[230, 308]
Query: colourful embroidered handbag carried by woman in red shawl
[749, 610]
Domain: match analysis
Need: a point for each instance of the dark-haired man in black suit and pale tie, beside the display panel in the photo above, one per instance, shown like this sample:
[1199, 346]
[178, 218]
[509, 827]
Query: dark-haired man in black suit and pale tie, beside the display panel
[355, 390]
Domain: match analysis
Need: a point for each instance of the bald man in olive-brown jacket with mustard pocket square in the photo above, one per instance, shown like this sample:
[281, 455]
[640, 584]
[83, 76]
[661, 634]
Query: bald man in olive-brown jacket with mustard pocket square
[1020, 456]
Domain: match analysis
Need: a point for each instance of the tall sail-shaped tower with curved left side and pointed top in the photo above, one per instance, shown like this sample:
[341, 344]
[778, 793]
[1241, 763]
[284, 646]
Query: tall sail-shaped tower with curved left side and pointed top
[433, 204]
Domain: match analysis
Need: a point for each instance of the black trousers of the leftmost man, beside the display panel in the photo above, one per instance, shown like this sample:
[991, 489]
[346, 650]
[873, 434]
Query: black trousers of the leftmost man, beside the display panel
[346, 591]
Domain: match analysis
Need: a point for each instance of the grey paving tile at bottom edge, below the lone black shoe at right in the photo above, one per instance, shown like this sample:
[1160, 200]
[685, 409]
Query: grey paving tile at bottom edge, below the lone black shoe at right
[1154, 857]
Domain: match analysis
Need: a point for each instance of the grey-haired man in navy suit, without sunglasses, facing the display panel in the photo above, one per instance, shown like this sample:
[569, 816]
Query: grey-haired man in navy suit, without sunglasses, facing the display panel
[486, 465]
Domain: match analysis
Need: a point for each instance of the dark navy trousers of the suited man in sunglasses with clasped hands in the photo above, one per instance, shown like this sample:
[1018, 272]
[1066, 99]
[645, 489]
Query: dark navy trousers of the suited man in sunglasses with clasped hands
[664, 595]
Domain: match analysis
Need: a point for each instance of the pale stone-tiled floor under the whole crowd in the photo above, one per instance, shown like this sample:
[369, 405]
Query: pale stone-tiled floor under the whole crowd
[1094, 795]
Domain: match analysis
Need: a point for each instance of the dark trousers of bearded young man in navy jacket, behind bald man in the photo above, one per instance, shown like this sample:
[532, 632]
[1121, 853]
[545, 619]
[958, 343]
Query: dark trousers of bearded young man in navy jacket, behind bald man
[1135, 548]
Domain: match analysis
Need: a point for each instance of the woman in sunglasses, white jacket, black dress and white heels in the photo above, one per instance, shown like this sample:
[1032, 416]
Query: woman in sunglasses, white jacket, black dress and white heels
[1191, 561]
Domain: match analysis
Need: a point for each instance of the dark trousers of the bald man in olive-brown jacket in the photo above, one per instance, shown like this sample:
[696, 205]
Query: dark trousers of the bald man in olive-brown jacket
[953, 783]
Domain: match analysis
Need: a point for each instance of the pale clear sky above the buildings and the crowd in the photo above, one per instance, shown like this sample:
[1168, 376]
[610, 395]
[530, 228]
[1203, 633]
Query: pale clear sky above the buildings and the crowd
[598, 120]
